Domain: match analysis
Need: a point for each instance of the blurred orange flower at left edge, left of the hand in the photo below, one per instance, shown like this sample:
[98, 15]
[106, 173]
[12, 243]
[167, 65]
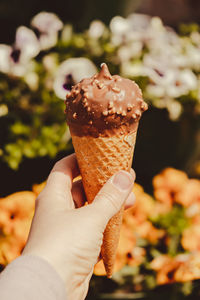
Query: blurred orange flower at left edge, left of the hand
[16, 212]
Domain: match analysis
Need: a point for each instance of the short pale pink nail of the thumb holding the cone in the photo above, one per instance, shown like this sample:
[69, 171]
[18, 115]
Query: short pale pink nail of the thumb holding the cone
[123, 180]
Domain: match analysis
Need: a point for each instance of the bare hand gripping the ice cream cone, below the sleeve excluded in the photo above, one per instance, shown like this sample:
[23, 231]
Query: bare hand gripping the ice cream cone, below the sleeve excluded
[70, 239]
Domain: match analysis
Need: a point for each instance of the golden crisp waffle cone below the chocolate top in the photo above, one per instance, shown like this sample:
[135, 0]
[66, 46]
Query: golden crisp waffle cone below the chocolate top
[98, 159]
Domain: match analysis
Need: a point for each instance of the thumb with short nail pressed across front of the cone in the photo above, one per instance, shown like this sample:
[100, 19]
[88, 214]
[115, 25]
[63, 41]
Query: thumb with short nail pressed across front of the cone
[112, 196]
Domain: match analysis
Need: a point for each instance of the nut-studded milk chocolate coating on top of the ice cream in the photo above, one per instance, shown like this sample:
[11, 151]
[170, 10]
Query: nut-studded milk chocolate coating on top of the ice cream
[103, 103]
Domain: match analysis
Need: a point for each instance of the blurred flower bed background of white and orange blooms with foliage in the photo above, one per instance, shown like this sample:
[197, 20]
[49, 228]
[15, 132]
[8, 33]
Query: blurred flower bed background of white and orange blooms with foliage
[45, 48]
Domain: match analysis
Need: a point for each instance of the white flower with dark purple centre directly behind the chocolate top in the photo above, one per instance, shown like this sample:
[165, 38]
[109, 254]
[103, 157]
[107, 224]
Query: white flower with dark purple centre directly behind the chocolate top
[70, 72]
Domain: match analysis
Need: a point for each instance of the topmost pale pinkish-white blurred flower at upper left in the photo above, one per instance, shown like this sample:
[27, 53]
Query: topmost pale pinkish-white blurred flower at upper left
[47, 26]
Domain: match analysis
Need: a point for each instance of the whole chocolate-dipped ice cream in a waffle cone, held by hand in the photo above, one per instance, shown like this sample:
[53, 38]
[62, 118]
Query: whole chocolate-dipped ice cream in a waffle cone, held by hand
[103, 131]
